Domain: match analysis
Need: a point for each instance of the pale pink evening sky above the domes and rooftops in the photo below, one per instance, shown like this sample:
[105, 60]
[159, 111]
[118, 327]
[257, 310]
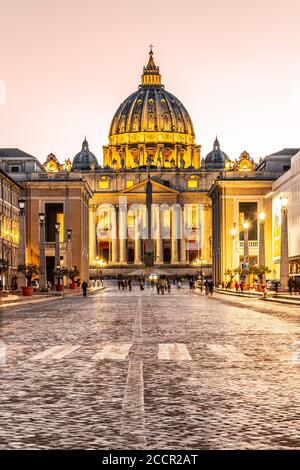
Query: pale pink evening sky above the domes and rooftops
[66, 65]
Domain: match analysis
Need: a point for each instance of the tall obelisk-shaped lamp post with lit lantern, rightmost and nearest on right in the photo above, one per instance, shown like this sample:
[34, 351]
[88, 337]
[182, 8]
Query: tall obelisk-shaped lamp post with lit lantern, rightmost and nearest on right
[284, 247]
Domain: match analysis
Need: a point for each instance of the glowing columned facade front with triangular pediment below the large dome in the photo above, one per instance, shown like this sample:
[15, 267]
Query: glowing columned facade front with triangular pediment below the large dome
[119, 226]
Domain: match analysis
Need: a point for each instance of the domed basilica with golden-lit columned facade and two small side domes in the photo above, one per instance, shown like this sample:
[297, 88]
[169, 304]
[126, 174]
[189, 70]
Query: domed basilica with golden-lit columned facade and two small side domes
[151, 137]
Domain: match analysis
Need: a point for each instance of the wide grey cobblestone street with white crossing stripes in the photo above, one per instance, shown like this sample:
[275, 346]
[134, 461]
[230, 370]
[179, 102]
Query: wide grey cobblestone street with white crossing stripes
[120, 370]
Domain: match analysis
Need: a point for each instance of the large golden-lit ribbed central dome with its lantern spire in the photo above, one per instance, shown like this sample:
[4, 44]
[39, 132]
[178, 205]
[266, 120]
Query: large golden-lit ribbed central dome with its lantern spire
[153, 125]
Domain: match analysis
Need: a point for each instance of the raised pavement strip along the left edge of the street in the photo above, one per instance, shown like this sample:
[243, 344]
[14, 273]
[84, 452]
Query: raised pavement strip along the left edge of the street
[14, 300]
